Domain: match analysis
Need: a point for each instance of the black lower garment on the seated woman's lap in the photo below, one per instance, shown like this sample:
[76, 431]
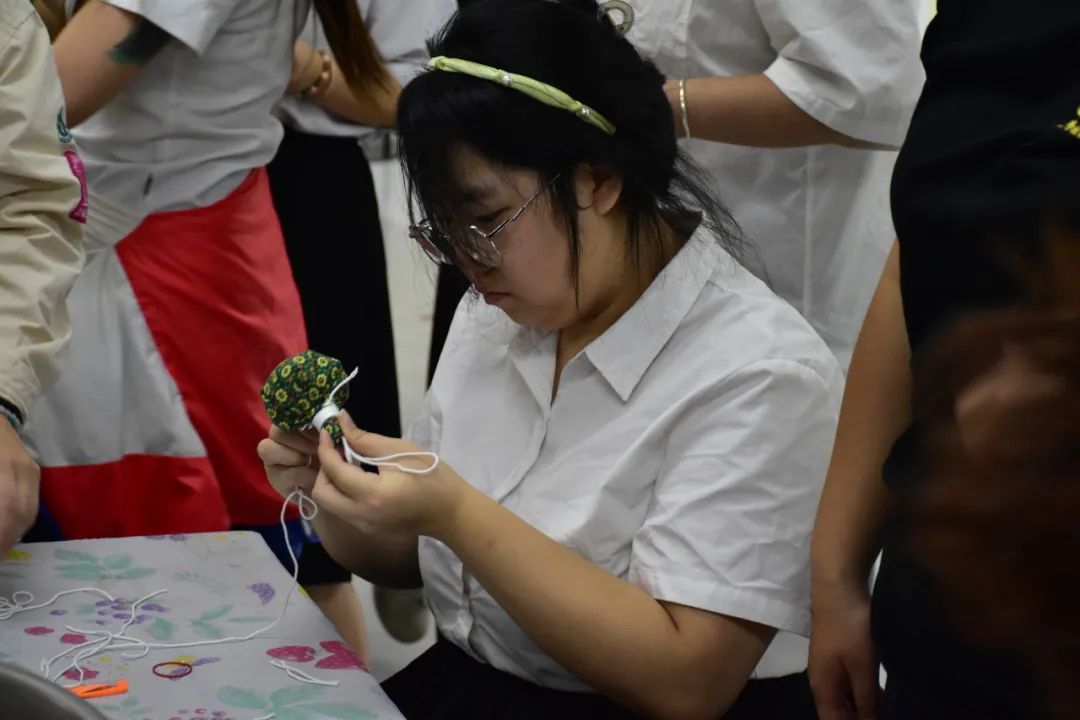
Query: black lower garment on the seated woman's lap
[445, 684]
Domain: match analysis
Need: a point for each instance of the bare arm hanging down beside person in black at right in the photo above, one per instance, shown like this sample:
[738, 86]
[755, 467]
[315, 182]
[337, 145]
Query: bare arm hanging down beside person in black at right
[855, 507]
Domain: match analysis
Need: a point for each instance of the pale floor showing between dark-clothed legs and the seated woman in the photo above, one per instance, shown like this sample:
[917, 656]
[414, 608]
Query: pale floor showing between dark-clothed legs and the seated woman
[412, 302]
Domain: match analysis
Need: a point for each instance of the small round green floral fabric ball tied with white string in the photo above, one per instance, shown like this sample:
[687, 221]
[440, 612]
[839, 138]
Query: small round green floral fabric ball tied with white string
[301, 387]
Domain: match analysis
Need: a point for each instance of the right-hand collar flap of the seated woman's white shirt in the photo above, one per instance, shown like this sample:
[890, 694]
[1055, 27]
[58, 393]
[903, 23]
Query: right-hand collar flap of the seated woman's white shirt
[627, 349]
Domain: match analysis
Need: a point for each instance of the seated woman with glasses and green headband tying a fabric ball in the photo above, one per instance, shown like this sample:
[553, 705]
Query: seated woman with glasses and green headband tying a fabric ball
[634, 431]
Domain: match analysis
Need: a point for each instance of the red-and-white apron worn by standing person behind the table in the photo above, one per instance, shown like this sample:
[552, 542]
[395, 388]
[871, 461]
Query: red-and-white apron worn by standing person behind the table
[215, 307]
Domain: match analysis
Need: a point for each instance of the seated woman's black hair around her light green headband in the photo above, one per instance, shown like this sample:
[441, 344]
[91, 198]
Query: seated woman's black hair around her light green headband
[568, 45]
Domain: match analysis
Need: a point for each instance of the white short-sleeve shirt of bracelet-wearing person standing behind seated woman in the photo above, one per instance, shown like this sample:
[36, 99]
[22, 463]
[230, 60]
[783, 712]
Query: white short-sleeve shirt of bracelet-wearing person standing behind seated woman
[819, 215]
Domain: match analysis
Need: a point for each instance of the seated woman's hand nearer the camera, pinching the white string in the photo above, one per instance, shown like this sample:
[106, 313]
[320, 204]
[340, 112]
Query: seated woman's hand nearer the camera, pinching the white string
[390, 501]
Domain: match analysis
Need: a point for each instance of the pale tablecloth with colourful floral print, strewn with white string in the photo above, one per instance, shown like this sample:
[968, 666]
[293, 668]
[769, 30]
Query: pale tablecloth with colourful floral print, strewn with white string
[220, 586]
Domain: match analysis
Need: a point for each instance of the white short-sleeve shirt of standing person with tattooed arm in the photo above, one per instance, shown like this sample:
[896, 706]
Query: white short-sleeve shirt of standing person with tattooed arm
[199, 118]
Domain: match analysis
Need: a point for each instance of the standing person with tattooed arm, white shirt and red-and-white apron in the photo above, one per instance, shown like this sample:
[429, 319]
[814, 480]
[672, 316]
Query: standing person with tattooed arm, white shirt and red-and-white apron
[187, 302]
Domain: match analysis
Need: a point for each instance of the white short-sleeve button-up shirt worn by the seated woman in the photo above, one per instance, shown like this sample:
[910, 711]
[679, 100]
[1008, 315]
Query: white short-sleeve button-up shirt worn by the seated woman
[685, 452]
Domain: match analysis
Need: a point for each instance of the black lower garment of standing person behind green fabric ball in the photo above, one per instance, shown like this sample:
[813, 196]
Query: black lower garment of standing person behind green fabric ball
[326, 198]
